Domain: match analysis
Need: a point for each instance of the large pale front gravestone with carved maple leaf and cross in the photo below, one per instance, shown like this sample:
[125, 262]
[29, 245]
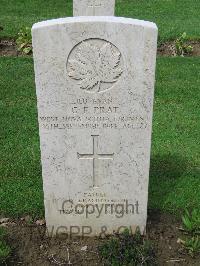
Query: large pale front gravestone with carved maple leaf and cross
[95, 87]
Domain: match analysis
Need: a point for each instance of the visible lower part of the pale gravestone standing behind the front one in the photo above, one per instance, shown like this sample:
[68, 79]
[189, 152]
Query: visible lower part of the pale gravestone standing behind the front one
[93, 7]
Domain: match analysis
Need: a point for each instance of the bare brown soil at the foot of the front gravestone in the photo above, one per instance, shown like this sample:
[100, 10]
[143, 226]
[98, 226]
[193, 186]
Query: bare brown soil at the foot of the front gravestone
[31, 246]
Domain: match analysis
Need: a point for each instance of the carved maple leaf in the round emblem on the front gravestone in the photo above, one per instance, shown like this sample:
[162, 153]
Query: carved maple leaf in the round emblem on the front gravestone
[93, 65]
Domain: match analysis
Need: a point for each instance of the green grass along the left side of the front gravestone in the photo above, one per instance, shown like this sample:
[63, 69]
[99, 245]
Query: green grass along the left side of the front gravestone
[20, 171]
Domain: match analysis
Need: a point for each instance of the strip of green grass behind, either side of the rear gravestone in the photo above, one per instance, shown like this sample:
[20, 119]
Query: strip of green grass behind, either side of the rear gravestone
[173, 17]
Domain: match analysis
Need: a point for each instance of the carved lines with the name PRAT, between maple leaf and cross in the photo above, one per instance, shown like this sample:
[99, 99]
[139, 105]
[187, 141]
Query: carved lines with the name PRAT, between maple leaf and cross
[95, 113]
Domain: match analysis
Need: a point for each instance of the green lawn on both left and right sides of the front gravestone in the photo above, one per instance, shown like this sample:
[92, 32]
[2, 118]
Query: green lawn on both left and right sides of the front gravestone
[175, 160]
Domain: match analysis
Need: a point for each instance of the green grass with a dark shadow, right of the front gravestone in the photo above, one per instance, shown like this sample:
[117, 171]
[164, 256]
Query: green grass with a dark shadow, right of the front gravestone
[175, 163]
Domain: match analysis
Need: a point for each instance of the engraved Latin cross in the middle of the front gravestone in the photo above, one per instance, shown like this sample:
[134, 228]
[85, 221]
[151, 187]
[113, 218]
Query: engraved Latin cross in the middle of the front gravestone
[95, 156]
